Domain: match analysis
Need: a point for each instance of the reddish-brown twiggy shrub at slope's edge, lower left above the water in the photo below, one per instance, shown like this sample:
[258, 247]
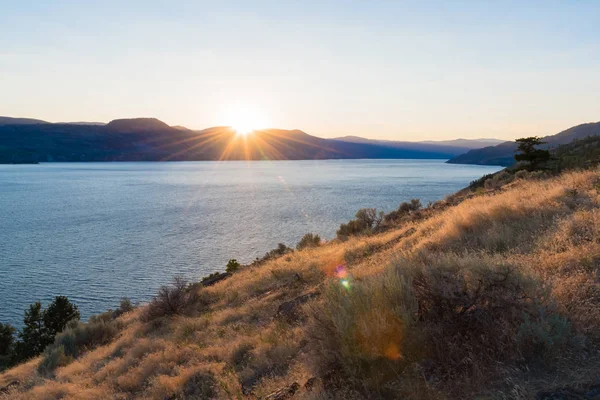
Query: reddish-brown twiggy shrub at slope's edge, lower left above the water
[171, 300]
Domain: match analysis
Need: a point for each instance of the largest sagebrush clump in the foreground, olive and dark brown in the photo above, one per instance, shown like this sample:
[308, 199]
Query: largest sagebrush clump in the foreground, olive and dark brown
[463, 315]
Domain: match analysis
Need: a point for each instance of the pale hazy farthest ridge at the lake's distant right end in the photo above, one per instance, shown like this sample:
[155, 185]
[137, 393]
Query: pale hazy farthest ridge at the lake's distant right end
[451, 148]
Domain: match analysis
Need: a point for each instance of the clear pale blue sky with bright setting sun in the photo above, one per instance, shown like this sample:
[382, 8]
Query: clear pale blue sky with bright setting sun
[397, 70]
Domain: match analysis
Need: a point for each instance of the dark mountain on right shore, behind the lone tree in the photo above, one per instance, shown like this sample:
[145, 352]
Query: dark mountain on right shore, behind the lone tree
[503, 154]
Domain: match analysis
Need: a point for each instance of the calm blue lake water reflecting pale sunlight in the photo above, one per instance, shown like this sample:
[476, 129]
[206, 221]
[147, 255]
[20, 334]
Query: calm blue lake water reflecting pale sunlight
[96, 232]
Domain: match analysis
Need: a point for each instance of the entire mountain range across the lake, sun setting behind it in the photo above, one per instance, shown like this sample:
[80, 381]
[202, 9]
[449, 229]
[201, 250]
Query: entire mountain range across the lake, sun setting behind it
[24, 140]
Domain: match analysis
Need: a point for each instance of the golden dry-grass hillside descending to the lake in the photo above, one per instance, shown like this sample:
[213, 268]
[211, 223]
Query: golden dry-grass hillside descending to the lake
[434, 310]
